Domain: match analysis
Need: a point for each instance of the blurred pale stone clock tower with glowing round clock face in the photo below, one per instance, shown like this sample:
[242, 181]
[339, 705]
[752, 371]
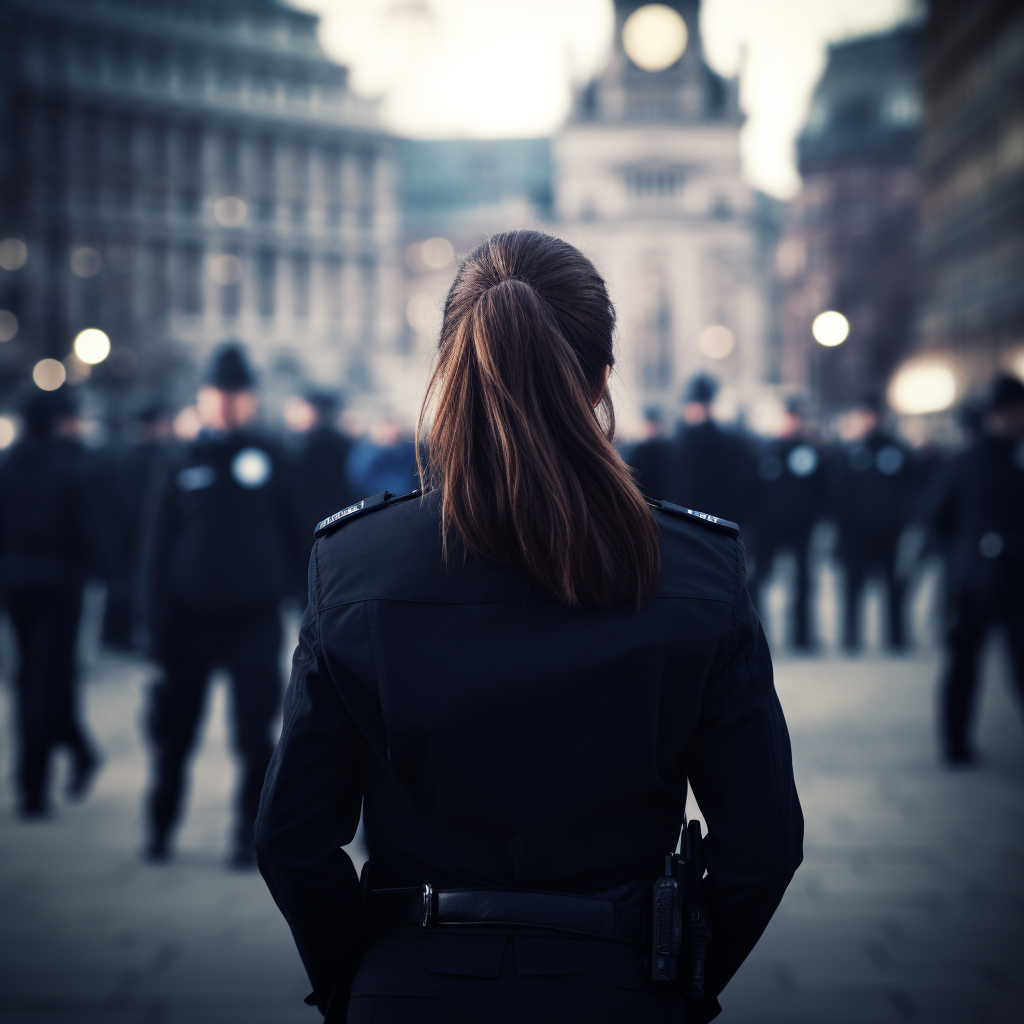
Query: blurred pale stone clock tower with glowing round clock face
[648, 183]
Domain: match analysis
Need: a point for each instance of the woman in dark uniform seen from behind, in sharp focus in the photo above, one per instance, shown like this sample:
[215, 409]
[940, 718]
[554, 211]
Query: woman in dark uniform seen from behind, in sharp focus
[515, 676]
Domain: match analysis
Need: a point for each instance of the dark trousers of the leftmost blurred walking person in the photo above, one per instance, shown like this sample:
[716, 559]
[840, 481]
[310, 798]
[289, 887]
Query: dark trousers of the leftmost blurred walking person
[46, 625]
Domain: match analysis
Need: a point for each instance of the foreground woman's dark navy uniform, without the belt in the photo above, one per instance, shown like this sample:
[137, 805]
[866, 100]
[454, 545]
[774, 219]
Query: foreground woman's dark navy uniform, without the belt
[497, 739]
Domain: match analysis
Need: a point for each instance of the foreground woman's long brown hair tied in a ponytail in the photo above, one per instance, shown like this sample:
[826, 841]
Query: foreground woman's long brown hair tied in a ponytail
[526, 467]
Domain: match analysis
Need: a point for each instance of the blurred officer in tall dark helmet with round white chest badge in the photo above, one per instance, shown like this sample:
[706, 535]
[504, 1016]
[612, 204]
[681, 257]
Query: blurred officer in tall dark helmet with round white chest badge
[222, 551]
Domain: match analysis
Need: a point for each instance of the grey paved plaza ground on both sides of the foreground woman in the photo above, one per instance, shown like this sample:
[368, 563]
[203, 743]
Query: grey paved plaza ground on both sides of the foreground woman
[910, 906]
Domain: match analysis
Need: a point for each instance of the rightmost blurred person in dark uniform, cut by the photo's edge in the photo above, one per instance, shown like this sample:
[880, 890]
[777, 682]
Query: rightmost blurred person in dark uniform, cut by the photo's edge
[976, 509]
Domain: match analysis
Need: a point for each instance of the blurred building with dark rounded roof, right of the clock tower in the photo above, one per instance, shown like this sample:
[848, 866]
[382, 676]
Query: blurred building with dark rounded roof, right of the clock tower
[849, 244]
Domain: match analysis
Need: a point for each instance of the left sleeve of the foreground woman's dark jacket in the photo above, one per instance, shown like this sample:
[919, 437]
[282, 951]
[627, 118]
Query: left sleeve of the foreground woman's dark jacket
[309, 810]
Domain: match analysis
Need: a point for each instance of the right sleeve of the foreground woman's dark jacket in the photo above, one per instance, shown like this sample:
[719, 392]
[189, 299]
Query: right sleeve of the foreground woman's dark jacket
[741, 769]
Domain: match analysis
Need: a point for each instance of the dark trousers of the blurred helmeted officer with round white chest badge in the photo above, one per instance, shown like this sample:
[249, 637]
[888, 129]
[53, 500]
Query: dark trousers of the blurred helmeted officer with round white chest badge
[248, 647]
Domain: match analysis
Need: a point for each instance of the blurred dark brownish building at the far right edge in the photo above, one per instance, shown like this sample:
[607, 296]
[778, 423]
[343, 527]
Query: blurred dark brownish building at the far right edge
[972, 239]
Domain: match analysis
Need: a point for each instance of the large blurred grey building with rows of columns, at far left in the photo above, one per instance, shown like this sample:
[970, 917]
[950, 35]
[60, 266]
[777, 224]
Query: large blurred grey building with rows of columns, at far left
[178, 172]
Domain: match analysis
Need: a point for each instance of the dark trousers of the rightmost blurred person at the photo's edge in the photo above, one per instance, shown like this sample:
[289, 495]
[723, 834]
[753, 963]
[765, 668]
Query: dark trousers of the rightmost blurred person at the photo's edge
[968, 630]
